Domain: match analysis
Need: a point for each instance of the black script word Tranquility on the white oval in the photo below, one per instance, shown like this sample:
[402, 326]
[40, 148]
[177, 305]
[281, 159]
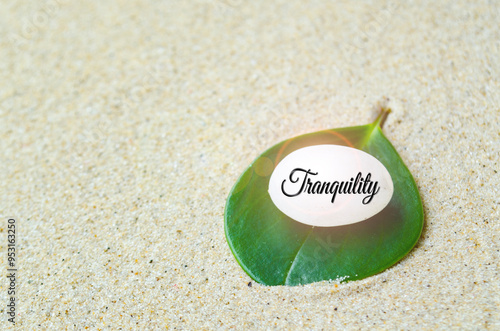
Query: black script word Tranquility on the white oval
[359, 185]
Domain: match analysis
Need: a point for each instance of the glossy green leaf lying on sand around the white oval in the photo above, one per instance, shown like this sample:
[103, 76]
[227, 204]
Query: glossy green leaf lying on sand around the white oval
[274, 249]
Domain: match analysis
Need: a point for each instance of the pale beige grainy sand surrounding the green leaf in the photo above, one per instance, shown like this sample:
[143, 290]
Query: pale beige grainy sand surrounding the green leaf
[124, 126]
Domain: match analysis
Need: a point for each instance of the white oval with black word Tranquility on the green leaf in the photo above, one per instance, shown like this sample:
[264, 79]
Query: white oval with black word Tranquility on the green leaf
[330, 185]
